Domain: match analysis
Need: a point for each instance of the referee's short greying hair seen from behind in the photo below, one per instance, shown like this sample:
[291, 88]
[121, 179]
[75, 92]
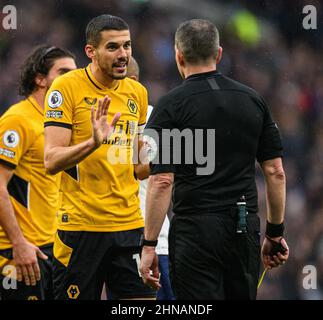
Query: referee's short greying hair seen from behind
[198, 39]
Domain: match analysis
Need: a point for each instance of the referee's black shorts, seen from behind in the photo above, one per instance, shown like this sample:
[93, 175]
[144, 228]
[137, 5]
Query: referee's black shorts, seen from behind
[209, 260]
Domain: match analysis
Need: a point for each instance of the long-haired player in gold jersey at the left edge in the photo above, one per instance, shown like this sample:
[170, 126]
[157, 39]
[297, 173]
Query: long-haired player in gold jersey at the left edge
[28, 196]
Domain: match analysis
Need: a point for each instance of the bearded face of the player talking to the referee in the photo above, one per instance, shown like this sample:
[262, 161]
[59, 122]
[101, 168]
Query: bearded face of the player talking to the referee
[113, 53]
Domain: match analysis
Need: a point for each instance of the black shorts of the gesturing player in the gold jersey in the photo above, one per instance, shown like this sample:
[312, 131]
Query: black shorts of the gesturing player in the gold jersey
[83, 261]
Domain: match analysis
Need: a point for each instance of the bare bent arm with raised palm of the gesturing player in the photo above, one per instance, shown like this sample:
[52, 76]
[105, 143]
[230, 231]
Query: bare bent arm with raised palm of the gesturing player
[59, 155]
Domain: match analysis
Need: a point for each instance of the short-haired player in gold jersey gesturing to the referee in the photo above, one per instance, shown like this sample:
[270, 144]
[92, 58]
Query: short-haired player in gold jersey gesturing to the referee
[93, 117]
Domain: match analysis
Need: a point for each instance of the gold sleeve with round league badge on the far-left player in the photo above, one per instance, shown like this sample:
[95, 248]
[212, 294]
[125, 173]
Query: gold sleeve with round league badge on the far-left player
[16, 137]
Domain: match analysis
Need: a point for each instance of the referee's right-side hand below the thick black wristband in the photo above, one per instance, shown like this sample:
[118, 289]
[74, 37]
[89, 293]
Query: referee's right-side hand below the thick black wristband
[274, 252]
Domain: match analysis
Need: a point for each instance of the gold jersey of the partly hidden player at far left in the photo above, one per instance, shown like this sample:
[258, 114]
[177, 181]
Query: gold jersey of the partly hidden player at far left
[33, 193]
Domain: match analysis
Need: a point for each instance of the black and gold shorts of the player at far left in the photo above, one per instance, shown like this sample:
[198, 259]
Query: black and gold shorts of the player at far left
[10, 289]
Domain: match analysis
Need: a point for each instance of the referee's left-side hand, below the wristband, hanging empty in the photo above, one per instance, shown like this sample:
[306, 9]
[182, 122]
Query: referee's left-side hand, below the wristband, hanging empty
[149, 267]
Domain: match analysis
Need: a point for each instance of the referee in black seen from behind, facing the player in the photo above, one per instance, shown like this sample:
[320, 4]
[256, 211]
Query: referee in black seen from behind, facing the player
[214, 239]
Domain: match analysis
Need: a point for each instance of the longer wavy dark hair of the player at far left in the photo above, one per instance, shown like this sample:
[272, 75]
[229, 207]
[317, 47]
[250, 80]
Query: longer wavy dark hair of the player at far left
[40, 61]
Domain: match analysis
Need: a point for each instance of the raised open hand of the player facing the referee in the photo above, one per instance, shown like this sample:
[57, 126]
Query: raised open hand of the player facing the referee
[101, 129]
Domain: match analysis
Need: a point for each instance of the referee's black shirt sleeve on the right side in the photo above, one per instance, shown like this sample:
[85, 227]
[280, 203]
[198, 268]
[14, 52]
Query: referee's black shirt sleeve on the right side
[270, 144]
